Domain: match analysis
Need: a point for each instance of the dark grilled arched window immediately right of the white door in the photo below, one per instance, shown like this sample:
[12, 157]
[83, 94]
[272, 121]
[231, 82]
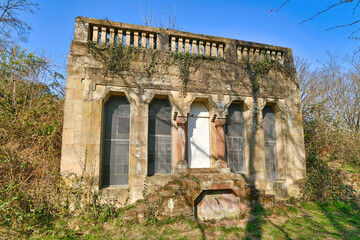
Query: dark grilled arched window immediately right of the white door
[235, 138]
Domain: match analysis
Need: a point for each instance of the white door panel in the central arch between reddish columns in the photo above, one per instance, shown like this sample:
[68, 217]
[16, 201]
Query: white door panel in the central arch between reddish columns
[198, 137]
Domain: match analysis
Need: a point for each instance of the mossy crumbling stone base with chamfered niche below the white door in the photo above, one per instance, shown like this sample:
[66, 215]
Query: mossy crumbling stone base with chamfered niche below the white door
[203, 193]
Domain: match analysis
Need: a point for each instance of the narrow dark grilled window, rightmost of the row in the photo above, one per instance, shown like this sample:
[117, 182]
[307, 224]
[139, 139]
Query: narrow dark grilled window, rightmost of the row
[270, 143]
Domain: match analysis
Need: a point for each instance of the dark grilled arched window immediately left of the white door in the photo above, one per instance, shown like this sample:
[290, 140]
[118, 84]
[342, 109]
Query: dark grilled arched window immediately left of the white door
[159, 140]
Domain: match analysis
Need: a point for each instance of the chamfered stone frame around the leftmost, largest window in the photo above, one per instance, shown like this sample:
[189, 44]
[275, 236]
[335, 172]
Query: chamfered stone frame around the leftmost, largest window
[107, 96]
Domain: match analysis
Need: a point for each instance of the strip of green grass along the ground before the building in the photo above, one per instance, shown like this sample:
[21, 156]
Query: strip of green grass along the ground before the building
[308, 221]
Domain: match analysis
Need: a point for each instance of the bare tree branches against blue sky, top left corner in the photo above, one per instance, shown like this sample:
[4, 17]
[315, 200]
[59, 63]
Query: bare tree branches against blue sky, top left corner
[10, 21]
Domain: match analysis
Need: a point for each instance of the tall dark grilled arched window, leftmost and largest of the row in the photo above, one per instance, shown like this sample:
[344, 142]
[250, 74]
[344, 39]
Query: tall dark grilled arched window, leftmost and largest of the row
[115, 163]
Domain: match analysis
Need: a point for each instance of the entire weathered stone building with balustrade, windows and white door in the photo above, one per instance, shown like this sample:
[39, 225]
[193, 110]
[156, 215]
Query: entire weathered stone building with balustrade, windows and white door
[156, 108]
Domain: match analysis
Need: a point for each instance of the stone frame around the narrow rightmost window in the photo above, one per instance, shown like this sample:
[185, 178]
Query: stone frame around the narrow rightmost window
[279, 110]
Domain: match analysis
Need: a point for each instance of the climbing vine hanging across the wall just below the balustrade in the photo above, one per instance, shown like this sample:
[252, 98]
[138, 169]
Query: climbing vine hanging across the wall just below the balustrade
[118, 58]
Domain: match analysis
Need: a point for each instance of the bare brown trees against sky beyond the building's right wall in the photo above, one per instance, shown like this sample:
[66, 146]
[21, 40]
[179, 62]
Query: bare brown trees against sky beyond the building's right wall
[331, 92]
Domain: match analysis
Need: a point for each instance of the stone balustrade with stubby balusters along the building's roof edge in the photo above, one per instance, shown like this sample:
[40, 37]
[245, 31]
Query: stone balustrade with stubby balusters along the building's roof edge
[104, 32]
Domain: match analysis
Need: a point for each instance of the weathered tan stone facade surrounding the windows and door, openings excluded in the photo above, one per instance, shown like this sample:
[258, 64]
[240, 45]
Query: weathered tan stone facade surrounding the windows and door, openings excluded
[221, 77]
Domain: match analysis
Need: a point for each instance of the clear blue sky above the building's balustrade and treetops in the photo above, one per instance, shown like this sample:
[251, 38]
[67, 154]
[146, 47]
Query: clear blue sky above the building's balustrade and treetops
[250, 20]
